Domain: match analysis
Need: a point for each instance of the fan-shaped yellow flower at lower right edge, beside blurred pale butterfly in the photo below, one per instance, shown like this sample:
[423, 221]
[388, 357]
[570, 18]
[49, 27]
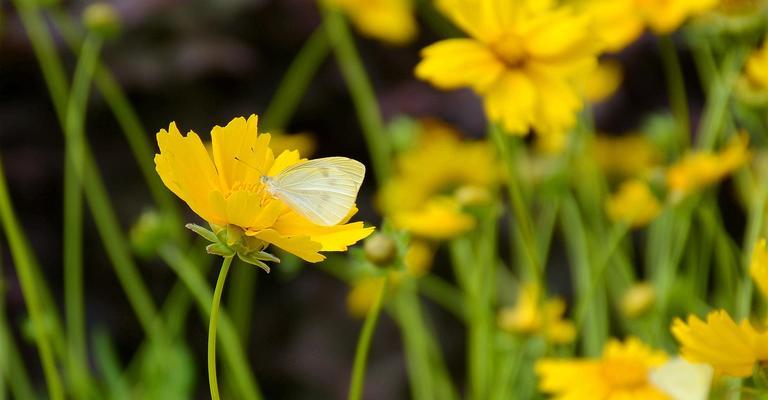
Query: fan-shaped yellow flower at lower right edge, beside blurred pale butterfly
[730, 348]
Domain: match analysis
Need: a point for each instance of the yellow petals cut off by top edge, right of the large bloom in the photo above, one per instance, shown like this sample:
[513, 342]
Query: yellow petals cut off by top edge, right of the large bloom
[620, 22]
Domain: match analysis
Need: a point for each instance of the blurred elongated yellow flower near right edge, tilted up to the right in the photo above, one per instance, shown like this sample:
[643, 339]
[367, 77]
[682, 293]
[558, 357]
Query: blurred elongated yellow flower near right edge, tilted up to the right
[699, 169]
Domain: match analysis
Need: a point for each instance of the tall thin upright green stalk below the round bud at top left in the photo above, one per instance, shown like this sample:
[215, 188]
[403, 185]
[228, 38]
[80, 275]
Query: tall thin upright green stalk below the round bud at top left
[73, 216]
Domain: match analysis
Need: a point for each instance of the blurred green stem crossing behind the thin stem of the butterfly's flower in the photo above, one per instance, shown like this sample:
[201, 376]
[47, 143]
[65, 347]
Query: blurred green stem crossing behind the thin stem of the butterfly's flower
[232, 349]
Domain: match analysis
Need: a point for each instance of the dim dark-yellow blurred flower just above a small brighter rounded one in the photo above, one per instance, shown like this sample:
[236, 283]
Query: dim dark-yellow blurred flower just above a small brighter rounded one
[630, 155]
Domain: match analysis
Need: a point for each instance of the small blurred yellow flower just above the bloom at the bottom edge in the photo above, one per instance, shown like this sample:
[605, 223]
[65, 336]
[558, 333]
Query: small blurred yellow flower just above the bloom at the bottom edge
[529, 317]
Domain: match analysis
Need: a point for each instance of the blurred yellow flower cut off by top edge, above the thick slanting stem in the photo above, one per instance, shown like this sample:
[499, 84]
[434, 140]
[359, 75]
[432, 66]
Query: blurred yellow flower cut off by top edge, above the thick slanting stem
[391, 21]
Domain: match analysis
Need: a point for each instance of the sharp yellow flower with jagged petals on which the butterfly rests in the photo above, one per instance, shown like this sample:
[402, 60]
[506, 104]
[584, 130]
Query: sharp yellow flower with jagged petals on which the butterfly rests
[225, 189]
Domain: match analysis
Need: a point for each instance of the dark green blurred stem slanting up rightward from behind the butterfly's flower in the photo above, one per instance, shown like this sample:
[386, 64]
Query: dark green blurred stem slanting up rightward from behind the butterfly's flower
[294, 84]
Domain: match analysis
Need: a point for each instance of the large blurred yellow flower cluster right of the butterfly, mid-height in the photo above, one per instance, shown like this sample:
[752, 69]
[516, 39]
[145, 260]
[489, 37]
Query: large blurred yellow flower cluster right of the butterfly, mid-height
[435, 178]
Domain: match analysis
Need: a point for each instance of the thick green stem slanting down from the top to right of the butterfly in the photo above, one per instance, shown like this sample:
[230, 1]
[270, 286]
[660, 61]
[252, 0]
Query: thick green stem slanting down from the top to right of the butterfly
[361, 91]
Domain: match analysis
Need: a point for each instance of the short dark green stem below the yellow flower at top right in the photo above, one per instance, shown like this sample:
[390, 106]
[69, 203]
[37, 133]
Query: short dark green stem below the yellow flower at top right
[676, 89]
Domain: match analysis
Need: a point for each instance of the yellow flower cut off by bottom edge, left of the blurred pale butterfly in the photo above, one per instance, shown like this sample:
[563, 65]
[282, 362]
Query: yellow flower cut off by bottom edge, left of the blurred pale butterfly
[621, 373]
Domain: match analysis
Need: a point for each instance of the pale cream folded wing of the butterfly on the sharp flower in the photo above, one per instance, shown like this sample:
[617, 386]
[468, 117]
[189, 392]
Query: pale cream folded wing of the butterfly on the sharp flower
[323, 190]
